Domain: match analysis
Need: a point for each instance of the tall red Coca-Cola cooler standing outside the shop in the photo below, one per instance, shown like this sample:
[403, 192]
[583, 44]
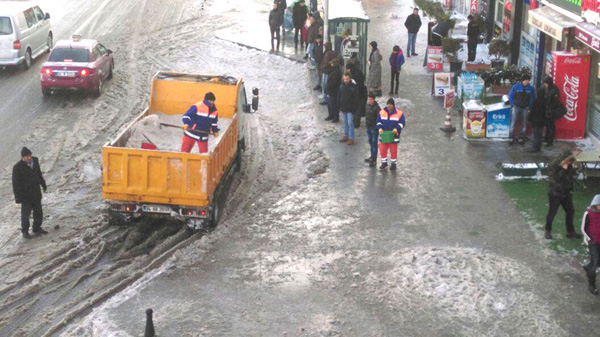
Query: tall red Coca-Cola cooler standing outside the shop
[571, 74]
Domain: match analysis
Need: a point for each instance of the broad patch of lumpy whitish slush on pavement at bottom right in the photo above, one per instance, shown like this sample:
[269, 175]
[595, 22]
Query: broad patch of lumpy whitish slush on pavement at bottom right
[485, 292]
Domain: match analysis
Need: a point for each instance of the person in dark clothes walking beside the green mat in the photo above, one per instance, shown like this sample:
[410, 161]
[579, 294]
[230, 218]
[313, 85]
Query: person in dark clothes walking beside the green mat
[562, 176]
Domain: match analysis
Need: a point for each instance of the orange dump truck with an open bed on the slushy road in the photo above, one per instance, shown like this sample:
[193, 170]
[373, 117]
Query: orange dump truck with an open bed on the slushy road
[161, 180]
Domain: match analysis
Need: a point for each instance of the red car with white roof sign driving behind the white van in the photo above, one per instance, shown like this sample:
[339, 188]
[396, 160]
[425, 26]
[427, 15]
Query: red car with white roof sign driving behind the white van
[77, 64]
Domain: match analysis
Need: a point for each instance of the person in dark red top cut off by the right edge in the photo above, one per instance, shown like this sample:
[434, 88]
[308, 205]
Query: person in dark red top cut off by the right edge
[590, 227]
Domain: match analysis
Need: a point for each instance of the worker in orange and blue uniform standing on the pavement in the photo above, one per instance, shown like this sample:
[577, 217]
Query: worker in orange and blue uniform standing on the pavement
[390, 119]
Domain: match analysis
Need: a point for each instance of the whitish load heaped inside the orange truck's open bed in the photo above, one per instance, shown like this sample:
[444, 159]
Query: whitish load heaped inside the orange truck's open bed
[149, 130]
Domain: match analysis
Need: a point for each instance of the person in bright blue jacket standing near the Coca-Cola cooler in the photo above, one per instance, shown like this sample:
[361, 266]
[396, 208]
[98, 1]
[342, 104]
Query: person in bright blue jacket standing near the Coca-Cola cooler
[521, 97]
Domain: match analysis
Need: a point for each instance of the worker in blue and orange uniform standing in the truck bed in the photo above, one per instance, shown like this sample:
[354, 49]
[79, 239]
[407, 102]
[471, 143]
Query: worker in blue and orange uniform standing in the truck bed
[198, 122]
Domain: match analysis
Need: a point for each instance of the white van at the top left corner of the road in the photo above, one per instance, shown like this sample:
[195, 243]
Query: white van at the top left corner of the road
[25, 33]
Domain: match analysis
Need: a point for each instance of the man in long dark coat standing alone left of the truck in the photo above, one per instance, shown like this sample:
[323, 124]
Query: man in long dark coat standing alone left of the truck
[27, 179]
